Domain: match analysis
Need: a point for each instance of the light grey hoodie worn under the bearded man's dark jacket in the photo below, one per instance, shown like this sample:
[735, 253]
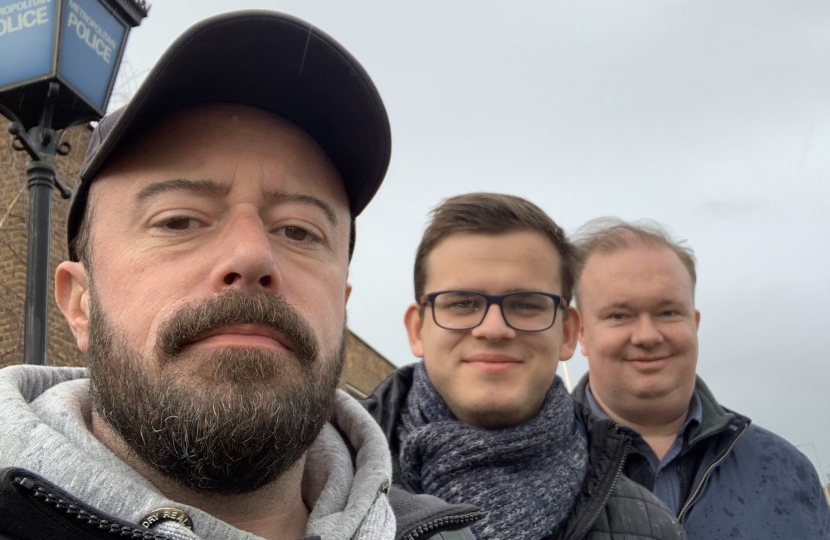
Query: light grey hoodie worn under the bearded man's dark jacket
[46, 418]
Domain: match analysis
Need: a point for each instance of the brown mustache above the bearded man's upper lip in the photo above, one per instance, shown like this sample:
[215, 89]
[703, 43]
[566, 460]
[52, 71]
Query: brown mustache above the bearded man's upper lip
[230, 307]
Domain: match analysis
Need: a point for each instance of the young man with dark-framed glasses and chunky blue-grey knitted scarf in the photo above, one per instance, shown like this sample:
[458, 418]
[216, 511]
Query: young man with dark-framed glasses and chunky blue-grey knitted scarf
[484, 420]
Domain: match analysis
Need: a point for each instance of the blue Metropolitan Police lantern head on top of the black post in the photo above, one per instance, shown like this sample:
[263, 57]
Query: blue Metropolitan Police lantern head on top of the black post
[76, 44]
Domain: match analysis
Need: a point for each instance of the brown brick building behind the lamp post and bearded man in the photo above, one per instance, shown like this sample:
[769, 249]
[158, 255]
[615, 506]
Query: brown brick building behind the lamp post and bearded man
[364, 369]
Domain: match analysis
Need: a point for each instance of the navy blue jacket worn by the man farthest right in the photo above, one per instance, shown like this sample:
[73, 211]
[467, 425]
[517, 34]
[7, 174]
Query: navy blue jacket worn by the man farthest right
[739, 480]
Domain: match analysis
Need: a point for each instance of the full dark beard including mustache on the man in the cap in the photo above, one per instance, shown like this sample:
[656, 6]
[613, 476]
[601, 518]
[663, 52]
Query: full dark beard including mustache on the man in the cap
[224, 422]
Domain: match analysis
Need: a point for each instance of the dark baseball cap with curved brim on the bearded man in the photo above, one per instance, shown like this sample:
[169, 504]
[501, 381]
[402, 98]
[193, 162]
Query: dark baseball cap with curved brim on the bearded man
[263, 59]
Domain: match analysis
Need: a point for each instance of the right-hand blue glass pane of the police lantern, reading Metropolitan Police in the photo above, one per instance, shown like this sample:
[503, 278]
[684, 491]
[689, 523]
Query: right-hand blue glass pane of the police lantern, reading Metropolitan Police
[91, 39]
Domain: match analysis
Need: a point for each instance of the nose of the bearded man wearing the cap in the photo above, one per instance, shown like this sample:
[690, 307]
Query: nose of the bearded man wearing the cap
[246, 255]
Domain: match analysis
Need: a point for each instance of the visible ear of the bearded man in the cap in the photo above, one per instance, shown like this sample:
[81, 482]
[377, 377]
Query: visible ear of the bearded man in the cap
[72, 296]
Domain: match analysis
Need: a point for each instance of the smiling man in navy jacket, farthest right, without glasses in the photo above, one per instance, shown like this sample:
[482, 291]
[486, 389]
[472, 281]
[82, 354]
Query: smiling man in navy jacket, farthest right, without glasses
[723, 476]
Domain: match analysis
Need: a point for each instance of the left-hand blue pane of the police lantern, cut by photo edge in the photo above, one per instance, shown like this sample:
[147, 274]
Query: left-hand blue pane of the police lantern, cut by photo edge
[26, 39]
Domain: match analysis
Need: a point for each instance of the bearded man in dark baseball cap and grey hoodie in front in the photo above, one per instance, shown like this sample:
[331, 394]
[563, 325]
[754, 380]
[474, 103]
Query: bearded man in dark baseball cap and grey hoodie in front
[210, 236]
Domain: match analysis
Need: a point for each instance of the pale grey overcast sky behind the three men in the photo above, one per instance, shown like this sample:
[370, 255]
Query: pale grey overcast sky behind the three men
[712, 117]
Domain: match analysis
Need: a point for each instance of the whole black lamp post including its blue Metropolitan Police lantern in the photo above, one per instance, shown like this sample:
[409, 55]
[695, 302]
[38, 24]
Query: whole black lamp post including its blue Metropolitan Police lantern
[58, 61]
